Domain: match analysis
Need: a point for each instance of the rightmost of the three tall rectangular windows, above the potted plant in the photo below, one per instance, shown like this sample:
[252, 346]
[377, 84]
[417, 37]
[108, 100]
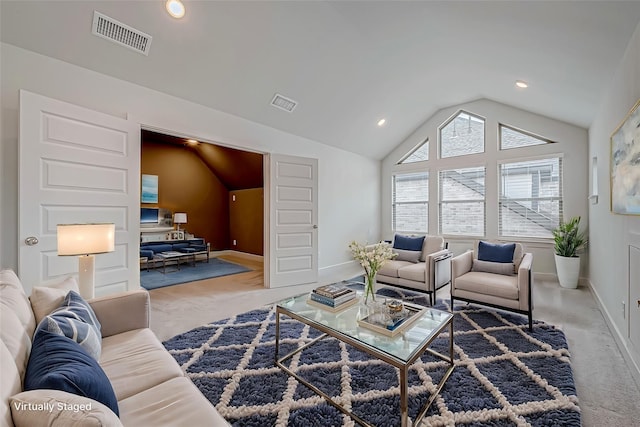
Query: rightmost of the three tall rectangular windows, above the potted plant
[530, 197]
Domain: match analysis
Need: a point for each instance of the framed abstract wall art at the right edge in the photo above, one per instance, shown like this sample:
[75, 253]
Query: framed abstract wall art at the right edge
[625, 165]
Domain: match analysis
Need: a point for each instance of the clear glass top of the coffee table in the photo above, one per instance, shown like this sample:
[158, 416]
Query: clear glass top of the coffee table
[402, 346]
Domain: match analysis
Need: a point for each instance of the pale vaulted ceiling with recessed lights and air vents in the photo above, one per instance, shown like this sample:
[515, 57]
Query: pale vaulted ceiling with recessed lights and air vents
[348, 63]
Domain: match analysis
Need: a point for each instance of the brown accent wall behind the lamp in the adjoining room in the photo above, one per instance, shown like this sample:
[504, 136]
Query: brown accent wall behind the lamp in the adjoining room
[186, 184]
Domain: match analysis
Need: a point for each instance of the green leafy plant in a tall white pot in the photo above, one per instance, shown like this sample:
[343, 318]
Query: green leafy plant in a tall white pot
[569, 240]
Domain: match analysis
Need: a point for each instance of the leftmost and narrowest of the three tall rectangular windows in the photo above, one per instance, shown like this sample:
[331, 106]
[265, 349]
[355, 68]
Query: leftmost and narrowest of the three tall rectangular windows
[410, 202]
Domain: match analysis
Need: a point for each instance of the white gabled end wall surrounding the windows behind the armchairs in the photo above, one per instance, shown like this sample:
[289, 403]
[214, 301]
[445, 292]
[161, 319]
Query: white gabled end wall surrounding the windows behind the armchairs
[571, 142]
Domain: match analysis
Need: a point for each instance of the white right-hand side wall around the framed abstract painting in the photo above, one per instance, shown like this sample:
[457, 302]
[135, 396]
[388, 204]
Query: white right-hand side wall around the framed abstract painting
[611, 234]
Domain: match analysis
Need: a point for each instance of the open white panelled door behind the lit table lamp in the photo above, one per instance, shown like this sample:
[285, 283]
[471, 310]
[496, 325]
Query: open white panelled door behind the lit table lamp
[77, 166]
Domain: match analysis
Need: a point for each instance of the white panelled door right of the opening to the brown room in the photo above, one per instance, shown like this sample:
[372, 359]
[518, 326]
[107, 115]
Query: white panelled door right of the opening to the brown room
[293, 218]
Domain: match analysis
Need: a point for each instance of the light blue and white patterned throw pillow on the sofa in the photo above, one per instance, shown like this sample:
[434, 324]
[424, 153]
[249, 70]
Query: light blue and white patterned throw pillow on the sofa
[76, 319]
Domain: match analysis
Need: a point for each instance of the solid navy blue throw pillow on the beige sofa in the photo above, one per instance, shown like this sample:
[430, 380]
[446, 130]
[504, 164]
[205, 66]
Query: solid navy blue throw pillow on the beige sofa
[59, 363]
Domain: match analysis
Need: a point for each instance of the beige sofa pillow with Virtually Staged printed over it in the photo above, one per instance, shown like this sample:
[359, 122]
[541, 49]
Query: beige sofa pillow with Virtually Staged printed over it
[66, 410]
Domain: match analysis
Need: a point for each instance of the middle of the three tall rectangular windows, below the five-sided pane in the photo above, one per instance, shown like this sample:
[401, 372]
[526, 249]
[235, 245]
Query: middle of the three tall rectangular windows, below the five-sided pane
[462, 201]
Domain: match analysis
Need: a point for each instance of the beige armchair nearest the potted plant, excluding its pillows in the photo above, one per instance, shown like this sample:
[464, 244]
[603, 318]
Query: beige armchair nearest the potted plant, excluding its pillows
[507, 286]
